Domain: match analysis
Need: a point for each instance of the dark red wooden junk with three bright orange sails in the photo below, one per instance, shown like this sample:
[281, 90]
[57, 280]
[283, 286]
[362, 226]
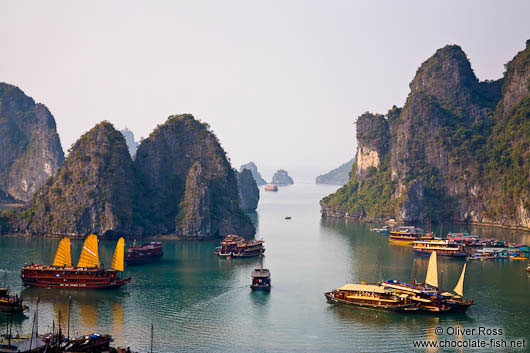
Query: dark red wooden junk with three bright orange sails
[88, 274]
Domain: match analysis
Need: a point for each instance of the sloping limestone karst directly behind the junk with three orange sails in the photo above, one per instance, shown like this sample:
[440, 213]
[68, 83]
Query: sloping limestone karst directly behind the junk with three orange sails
[92, 192]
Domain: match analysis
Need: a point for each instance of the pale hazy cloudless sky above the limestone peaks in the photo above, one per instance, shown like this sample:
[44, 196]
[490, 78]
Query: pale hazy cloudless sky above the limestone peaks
[281, 83]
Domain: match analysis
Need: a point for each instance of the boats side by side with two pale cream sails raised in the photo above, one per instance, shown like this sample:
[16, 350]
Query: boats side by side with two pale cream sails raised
[393, 295]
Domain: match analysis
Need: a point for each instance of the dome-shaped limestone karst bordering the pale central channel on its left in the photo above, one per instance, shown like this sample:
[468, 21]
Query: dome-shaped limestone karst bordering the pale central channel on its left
[189, 187]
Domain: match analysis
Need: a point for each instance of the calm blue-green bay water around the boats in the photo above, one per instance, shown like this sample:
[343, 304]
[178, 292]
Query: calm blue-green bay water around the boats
[200, 303]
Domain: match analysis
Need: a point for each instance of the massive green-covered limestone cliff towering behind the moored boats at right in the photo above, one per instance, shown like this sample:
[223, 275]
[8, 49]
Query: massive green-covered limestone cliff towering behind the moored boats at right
[457, 150]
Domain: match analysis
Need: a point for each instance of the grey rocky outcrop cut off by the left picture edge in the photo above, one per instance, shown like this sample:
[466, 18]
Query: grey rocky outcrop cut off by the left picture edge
[30, 150]
